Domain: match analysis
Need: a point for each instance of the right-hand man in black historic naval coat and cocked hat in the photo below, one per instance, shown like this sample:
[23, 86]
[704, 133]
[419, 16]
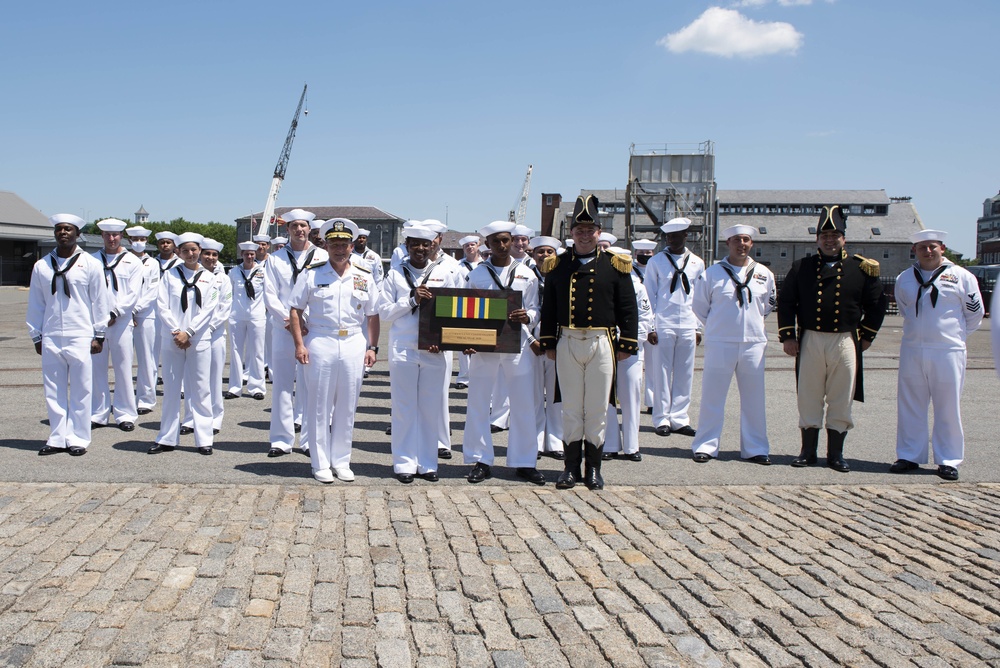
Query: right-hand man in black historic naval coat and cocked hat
[837, 303]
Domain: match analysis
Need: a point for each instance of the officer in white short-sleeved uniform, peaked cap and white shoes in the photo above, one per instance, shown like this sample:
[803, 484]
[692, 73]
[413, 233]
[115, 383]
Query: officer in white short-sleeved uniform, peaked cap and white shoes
[340, 298]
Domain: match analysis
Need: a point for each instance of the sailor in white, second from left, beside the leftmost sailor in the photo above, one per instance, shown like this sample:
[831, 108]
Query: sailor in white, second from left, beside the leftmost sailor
[124, 274]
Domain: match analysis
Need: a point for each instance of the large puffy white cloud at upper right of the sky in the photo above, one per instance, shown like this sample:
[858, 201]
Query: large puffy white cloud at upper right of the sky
[727, 33]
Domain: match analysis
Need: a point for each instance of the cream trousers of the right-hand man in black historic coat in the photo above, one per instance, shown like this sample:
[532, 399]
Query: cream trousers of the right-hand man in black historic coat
[827, 365]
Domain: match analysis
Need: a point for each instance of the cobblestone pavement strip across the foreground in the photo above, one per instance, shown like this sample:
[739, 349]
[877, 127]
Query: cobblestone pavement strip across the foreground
[255, 575]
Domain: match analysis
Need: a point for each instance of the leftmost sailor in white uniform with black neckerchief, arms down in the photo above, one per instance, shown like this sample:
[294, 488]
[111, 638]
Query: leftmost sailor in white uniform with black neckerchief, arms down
[68, 307]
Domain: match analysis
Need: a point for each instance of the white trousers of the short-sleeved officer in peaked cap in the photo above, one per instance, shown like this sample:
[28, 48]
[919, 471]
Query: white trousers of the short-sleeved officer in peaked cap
[334, 375]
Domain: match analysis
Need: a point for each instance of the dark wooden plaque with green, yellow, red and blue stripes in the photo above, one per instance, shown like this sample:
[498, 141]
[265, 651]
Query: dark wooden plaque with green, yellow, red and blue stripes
[460, 318]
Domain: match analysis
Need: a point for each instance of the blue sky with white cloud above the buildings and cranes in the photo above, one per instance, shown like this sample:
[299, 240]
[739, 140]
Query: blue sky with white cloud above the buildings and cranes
[435, 110]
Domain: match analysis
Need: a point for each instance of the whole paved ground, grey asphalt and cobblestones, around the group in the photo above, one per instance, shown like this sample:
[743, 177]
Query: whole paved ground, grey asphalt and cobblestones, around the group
[239, 560]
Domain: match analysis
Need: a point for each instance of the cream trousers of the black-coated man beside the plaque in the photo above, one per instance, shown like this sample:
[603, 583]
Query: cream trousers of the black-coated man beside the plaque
[585, 363]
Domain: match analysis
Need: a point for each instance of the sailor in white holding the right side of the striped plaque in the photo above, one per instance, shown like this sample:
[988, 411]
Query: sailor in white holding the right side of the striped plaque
[501, 273]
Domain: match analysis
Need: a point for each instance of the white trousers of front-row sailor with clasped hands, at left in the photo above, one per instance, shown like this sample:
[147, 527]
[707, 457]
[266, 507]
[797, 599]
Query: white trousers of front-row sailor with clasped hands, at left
[192, 368]
